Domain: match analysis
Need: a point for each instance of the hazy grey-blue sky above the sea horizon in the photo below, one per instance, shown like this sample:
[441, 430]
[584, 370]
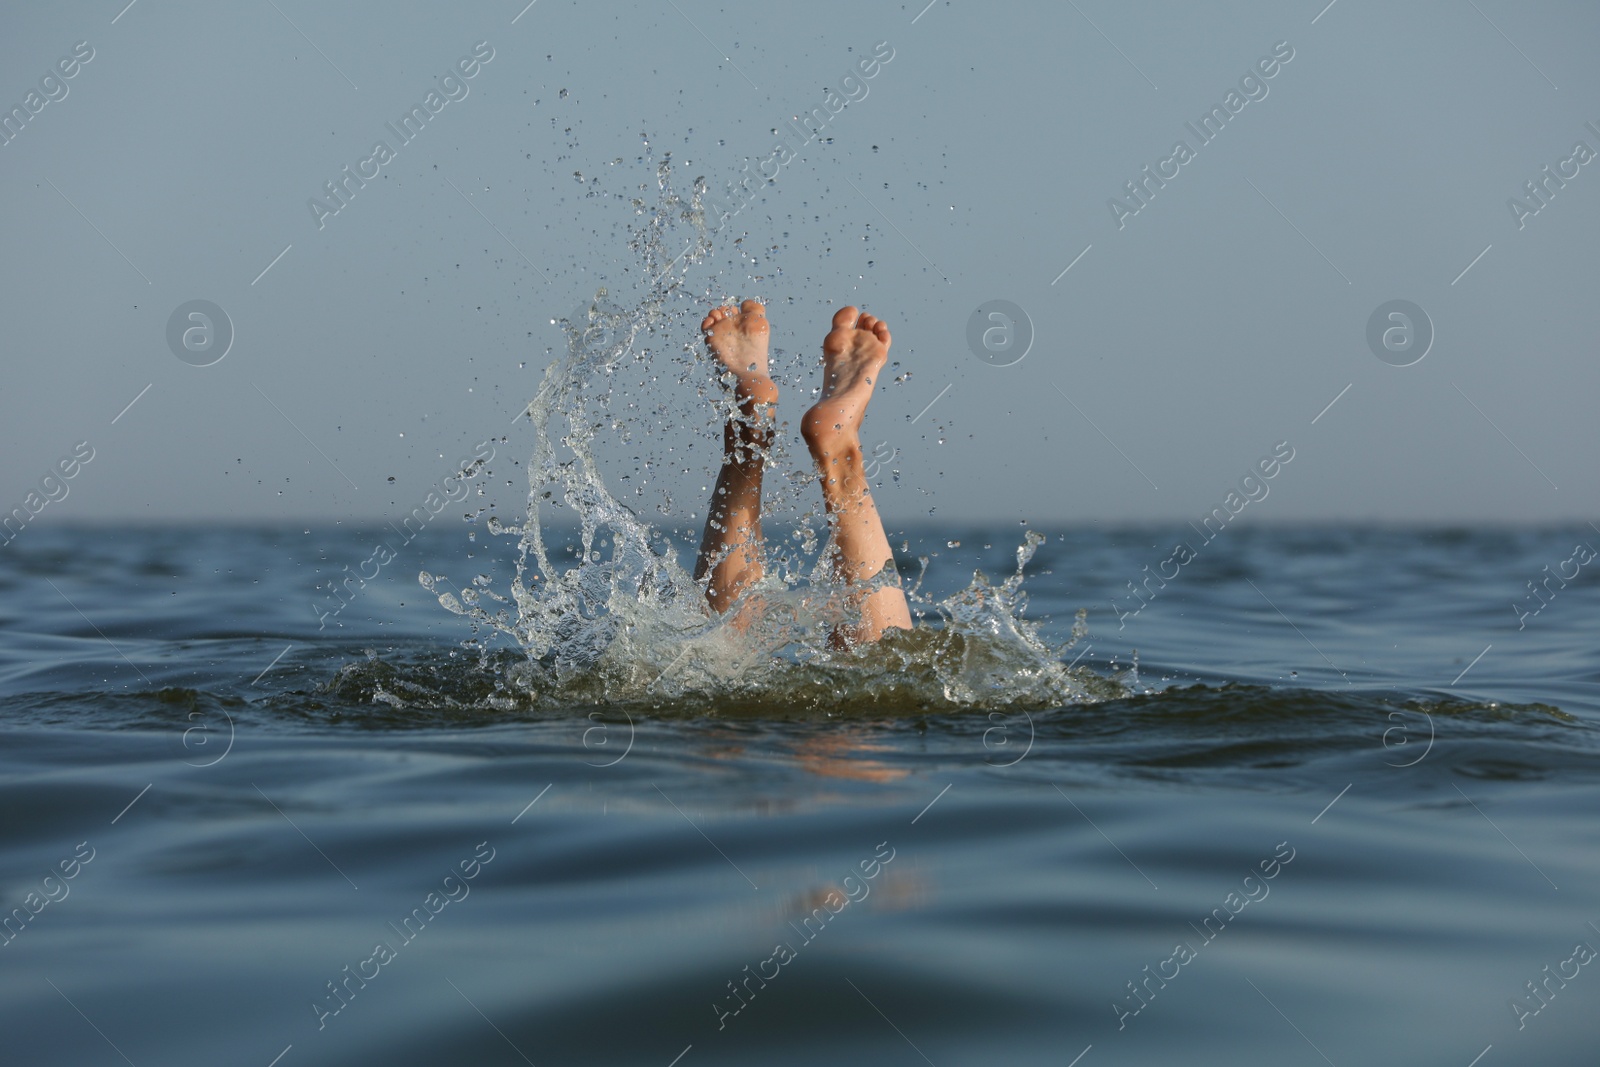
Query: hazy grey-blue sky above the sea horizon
[1236, 310]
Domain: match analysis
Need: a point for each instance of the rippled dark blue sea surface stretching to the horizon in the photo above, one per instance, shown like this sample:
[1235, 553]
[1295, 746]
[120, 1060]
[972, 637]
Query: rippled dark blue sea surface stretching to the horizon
[1326, 799]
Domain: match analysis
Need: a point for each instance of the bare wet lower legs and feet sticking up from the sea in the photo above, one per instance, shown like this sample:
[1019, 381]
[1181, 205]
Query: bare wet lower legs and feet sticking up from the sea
[854, 356]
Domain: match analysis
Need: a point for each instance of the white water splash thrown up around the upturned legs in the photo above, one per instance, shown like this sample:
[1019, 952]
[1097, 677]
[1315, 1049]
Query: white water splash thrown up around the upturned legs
[622, 623]
